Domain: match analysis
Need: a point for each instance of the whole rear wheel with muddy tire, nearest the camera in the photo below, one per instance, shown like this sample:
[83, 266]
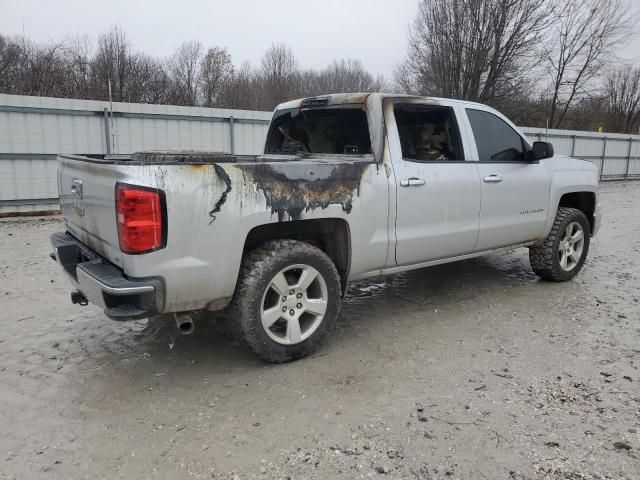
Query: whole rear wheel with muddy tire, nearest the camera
[287, 300]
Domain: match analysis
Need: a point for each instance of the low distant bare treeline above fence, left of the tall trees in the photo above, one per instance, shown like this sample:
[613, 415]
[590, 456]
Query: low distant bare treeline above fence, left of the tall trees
[192, 75]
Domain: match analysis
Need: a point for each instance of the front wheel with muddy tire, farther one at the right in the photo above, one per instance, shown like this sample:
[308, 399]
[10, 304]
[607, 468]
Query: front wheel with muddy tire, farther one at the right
[562, 254]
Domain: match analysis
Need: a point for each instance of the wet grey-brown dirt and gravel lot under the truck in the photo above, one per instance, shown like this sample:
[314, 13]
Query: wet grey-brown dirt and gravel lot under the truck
[473, 370]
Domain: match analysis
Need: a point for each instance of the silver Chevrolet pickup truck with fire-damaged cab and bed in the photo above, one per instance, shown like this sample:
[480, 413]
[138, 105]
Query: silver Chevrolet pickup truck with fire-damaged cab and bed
[350, 186]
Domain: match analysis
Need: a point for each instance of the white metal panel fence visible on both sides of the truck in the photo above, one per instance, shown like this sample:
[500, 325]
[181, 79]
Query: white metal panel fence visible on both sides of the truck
[33, 130]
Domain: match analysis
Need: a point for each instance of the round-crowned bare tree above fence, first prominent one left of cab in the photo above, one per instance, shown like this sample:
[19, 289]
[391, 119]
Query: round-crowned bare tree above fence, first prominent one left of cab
[216, 70]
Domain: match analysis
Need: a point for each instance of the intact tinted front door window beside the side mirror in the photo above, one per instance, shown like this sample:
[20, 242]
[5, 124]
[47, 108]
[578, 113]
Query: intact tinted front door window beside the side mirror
[495, 139]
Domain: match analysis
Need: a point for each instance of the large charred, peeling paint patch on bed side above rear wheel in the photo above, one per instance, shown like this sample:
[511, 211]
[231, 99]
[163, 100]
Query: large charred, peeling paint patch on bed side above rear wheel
[294, 189]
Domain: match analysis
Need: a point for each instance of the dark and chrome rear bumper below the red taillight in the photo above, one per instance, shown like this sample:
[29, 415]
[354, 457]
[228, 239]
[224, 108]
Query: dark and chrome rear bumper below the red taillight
[105, 285]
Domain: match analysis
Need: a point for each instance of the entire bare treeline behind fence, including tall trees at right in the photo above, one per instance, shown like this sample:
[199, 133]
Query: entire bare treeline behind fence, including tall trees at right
[544, 63]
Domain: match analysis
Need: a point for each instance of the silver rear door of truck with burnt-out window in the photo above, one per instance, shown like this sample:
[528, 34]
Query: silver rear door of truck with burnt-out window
[437, 188]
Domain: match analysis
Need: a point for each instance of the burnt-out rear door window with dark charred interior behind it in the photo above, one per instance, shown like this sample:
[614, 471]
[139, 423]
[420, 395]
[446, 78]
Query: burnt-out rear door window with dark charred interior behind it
[428, 133]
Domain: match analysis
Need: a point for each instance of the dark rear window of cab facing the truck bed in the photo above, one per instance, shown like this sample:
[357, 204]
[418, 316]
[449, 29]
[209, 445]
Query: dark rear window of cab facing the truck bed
[341, 131]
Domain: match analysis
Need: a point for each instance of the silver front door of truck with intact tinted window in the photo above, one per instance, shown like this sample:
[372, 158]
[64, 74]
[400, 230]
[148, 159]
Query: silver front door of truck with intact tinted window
[514, 191]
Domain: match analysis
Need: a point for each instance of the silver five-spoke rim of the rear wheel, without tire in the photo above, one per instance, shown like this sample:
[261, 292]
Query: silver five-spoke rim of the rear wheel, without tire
[294, 304]
